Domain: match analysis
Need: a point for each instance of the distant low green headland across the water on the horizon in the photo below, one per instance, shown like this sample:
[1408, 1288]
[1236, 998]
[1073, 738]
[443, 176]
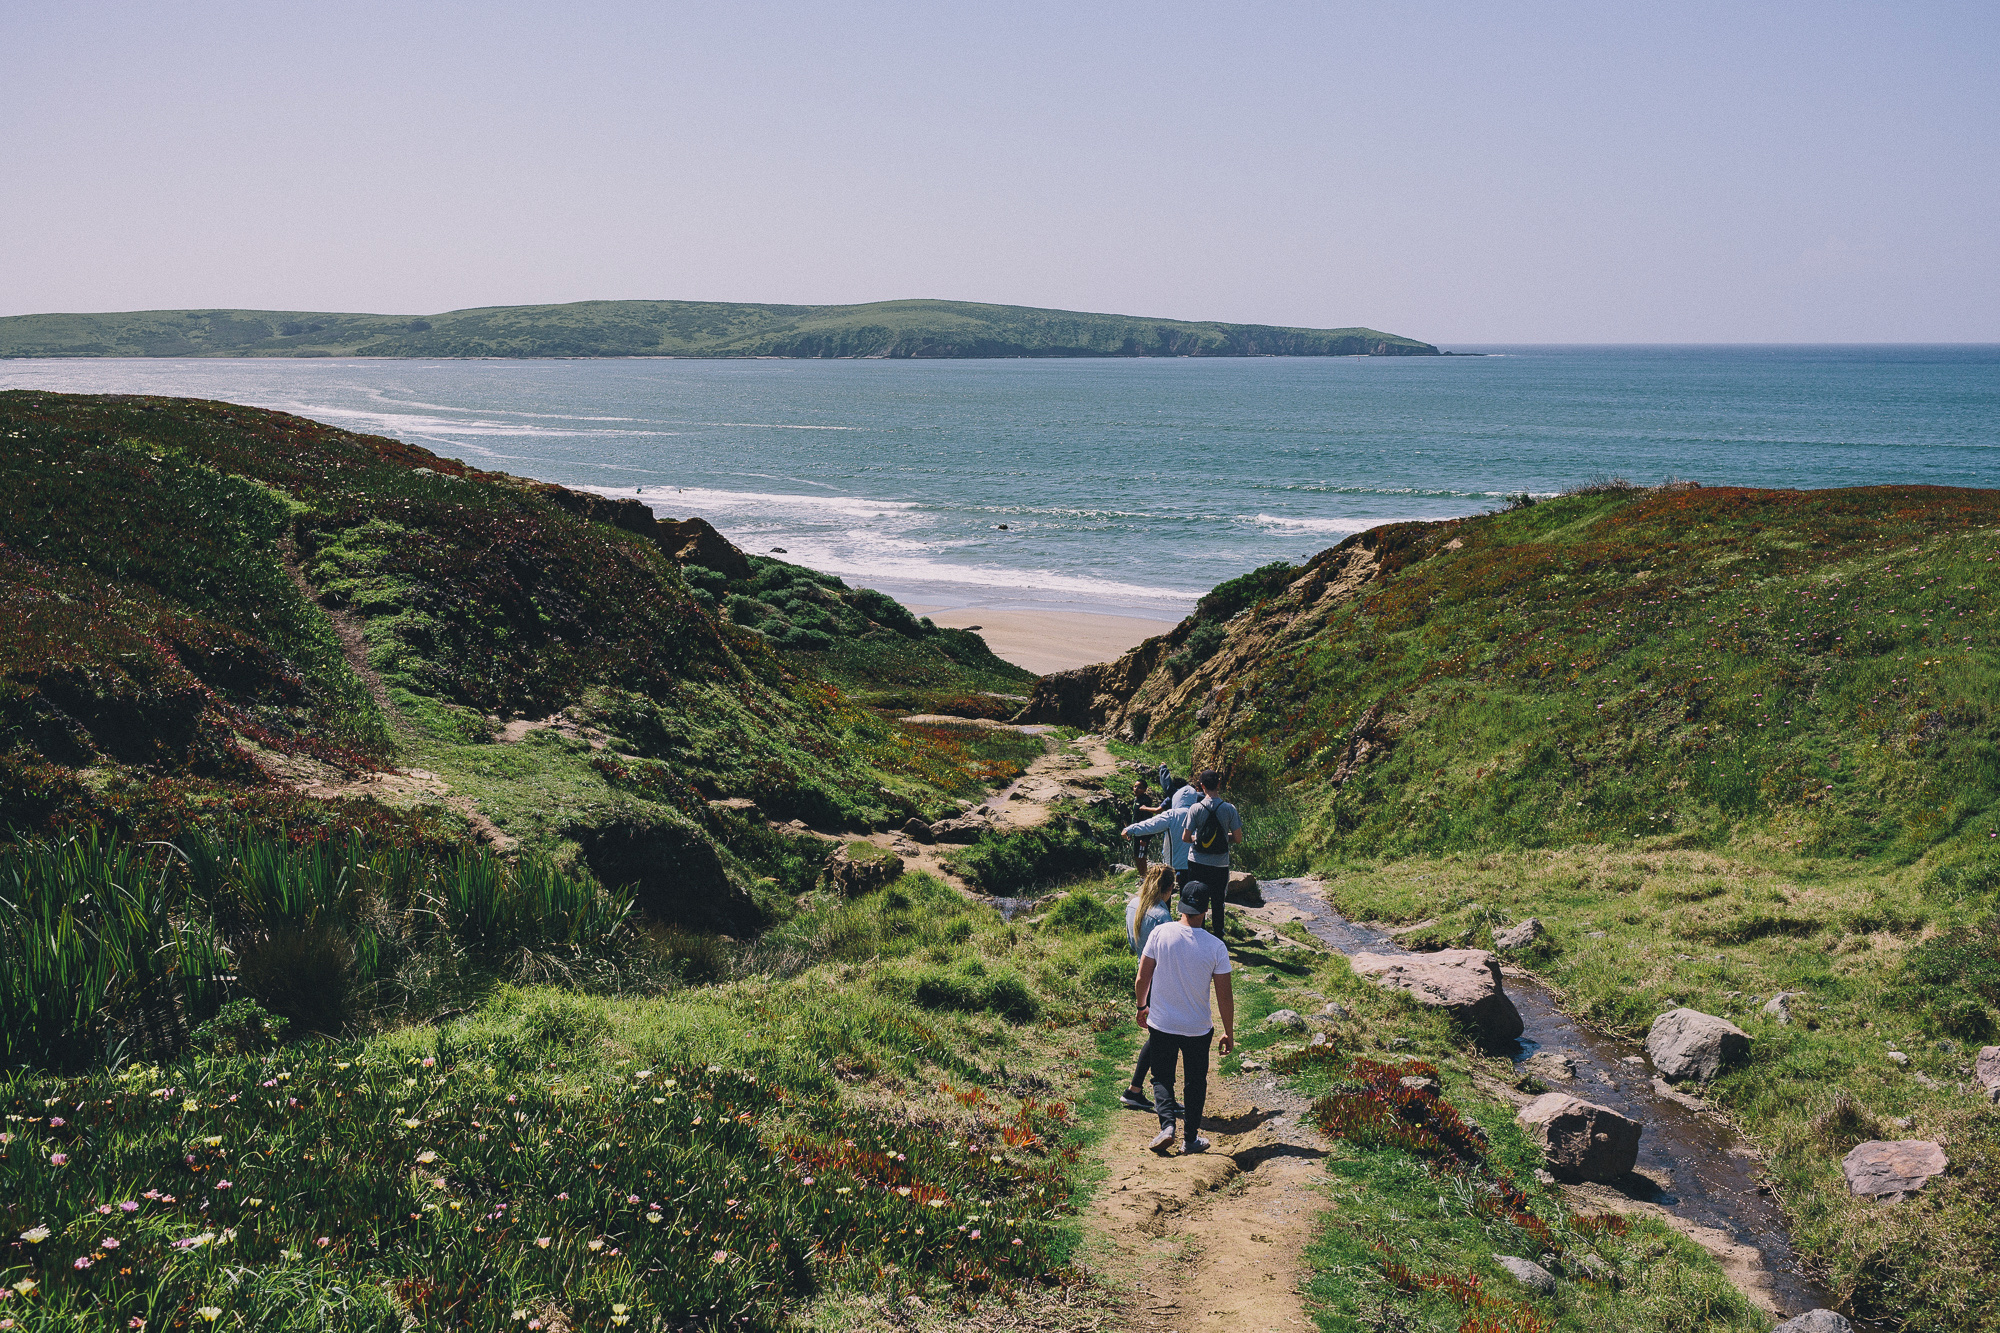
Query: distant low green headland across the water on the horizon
[885, 329]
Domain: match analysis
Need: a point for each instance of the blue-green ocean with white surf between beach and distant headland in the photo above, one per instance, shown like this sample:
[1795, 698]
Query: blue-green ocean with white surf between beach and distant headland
[1129, 487]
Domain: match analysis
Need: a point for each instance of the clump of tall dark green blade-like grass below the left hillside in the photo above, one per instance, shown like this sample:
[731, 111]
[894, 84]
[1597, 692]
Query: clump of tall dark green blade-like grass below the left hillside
[113, 948]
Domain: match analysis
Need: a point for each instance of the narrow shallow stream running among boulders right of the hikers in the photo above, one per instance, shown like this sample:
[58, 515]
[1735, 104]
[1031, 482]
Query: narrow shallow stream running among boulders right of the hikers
[1693, 1166]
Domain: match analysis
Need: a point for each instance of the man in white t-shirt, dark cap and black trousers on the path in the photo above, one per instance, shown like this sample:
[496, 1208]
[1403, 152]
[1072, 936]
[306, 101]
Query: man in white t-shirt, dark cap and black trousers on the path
[1175, 974]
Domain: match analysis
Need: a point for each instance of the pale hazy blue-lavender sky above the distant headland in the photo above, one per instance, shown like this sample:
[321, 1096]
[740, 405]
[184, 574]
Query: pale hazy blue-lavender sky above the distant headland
[1573, 173]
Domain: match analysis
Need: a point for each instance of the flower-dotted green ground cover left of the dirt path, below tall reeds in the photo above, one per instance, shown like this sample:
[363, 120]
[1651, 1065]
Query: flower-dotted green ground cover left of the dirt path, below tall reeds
[713, 1158]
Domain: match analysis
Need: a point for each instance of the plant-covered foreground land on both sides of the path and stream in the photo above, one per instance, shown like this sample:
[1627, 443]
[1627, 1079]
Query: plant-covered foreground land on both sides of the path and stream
[433, 898]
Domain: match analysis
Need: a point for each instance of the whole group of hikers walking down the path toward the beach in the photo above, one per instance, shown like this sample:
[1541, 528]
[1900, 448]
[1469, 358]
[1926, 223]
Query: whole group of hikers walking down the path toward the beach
[1181, 958]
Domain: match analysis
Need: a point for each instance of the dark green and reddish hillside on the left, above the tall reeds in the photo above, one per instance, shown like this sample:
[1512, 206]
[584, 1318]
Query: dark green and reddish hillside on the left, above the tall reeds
[225, 615]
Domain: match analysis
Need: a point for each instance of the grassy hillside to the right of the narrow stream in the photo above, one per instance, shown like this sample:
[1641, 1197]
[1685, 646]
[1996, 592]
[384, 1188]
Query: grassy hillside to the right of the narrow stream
[1723, 744]
